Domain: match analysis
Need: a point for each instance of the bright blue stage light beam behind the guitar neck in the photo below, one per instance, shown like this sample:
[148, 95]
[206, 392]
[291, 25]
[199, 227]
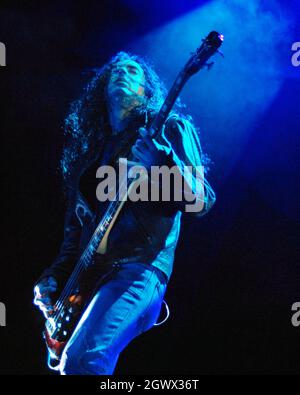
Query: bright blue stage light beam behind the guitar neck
[227, 101]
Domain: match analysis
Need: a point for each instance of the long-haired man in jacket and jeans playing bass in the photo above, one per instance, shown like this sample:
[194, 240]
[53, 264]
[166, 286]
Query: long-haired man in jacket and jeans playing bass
[121, 99]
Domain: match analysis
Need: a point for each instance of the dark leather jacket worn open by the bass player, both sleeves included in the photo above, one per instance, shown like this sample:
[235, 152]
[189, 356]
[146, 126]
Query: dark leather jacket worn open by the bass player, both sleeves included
[142, 228]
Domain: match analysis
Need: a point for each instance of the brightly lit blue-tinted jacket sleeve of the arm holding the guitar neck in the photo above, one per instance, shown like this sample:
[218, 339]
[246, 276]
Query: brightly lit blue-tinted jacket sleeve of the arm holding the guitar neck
[180, 140]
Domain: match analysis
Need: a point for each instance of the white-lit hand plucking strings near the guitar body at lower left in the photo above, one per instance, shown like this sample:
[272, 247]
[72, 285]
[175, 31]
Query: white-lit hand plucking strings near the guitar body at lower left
[42, 295]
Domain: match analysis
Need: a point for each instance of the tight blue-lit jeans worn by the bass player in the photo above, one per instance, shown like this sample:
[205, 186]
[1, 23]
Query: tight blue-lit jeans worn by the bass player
[124, 307]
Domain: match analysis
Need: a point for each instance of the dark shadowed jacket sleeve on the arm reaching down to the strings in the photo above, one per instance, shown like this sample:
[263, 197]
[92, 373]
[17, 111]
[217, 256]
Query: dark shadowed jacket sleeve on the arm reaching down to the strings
[63, 265]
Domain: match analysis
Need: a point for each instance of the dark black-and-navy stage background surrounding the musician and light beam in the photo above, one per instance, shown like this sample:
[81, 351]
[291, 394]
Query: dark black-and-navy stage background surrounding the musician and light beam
[237, 270]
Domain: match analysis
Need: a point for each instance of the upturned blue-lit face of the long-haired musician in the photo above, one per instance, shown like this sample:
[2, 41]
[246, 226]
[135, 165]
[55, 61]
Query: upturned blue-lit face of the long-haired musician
[127, 79]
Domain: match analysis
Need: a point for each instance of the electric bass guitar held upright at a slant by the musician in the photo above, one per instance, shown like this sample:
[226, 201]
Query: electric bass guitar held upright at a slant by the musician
[75, 296]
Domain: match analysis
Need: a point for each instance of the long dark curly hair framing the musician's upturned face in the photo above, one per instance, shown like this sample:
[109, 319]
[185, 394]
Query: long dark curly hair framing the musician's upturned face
[87, 122]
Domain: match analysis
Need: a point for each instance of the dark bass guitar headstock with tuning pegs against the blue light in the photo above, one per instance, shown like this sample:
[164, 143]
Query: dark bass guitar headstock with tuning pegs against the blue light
[208, 48]
